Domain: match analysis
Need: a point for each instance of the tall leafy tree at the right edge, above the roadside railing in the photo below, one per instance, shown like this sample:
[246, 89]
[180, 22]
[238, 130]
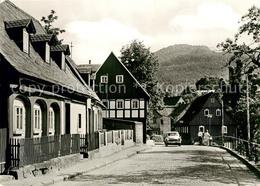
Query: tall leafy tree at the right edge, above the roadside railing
[244, 51]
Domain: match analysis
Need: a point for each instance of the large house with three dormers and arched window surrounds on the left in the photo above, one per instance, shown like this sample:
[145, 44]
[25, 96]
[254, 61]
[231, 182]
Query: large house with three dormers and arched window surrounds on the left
[42, 93]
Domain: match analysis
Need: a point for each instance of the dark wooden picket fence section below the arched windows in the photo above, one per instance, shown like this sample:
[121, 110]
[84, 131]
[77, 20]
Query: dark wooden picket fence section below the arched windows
[35, 150]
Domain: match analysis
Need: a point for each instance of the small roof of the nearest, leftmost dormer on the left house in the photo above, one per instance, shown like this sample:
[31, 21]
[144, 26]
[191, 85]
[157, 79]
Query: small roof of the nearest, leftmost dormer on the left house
[21, 23]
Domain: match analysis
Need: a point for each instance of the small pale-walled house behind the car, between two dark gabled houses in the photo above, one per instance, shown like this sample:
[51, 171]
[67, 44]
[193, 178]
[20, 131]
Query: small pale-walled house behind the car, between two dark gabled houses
[162, 120]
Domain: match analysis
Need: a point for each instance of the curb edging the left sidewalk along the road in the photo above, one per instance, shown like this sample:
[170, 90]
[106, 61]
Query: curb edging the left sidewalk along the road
[103, 164]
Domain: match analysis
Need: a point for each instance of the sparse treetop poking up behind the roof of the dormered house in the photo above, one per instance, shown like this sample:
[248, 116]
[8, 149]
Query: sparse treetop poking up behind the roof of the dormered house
[48, 25]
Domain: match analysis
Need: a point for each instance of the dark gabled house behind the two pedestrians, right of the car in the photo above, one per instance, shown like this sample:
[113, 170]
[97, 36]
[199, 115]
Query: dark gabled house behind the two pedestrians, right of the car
[204, 113]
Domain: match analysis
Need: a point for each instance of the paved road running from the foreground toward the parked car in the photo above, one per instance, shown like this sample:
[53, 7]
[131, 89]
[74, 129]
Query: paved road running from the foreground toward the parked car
[186, 165]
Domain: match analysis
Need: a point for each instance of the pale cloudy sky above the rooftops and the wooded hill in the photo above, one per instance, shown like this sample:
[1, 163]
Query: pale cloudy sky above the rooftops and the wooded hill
[97, 27]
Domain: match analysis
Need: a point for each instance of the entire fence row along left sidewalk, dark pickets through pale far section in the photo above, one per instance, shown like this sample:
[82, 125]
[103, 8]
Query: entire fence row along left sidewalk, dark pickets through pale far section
[26, 151]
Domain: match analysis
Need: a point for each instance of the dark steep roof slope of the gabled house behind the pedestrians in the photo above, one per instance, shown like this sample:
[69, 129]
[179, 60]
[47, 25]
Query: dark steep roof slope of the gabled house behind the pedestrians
[194, 108]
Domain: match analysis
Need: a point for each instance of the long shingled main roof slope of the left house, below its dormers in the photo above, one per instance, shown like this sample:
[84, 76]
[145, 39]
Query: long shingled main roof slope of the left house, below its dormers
[33, 65]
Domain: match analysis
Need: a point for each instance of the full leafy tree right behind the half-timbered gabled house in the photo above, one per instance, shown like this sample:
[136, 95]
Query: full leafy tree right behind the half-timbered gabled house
[143, 64]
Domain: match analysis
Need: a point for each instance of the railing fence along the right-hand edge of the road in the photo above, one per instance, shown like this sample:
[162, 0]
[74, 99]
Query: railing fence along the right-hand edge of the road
[243, 147]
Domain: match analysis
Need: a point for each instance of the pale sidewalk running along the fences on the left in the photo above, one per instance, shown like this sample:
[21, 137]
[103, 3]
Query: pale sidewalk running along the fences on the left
[80, 168]
